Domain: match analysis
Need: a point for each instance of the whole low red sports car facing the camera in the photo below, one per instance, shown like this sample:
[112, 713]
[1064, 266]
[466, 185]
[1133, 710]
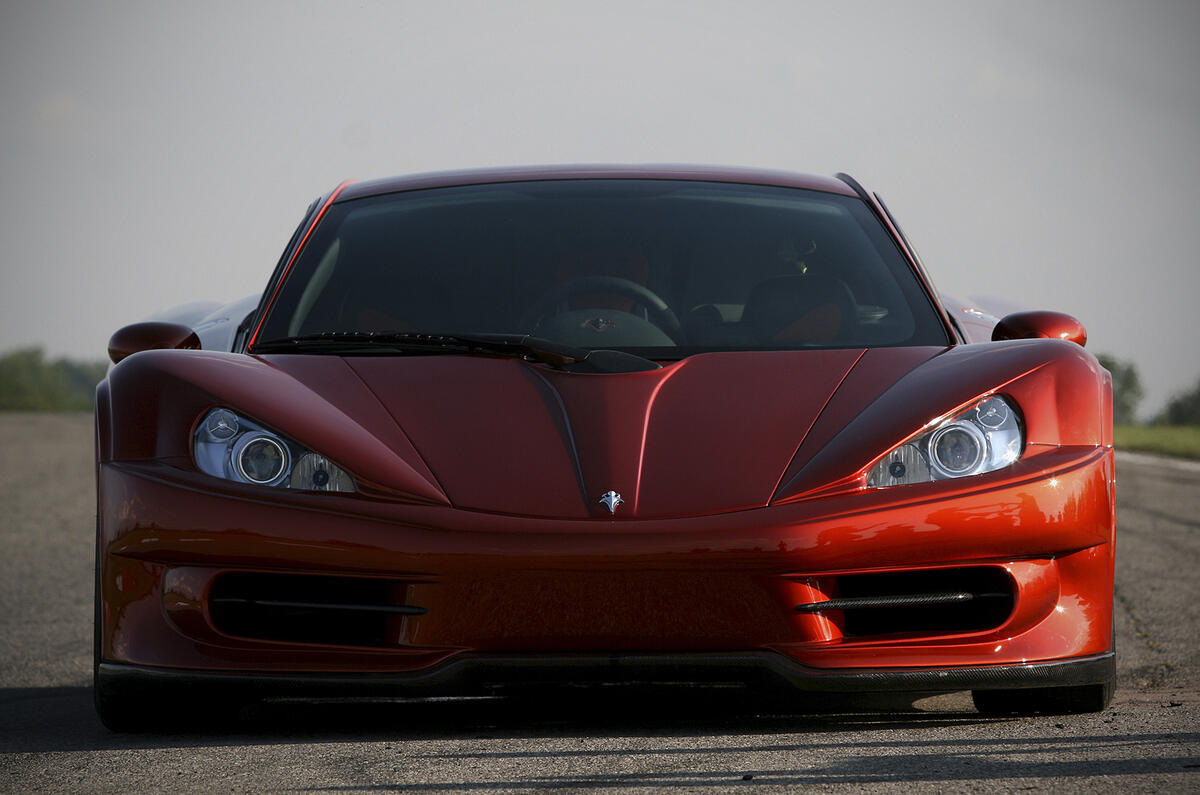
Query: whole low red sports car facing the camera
[515, 428]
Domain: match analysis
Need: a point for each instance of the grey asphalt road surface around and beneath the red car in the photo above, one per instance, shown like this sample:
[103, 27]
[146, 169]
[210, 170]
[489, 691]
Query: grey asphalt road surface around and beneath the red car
[51, 739]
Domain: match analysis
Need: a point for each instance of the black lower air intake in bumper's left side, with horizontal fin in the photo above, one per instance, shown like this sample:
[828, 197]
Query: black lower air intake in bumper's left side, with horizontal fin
[310, 609]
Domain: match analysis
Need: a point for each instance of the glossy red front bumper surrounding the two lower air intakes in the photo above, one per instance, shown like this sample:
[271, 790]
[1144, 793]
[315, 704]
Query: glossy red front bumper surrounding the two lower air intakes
[515, 595]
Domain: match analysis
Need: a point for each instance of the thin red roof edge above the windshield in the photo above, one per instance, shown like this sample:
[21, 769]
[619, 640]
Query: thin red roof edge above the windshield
[595, 171]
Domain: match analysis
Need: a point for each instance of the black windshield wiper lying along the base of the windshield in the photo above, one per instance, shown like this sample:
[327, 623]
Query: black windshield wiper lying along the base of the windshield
[556, 355]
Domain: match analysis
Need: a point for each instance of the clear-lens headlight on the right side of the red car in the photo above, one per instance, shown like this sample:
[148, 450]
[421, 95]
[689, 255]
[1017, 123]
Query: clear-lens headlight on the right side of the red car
[985, 438]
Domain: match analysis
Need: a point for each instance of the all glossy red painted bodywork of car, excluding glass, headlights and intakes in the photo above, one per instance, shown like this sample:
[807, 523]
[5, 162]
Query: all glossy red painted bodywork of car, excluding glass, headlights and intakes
[481, 482]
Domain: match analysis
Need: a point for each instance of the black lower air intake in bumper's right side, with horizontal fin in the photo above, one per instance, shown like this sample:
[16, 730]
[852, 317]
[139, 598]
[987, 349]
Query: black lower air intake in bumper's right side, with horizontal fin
[940, 601]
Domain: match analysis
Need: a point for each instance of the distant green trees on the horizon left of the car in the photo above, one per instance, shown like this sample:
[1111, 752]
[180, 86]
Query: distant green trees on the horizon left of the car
[31, 382]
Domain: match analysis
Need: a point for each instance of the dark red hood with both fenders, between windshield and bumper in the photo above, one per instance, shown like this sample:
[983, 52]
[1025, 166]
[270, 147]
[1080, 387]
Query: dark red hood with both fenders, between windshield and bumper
[715, 433]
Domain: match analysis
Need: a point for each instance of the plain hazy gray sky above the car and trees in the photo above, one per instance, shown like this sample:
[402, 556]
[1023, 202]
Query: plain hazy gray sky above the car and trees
[160, 153]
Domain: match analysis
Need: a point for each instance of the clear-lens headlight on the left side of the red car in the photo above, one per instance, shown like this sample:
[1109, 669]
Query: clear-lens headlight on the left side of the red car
[232, 447]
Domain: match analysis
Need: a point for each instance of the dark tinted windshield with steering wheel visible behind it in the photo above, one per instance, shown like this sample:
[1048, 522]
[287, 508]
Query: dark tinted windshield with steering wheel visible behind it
[658, 268]
